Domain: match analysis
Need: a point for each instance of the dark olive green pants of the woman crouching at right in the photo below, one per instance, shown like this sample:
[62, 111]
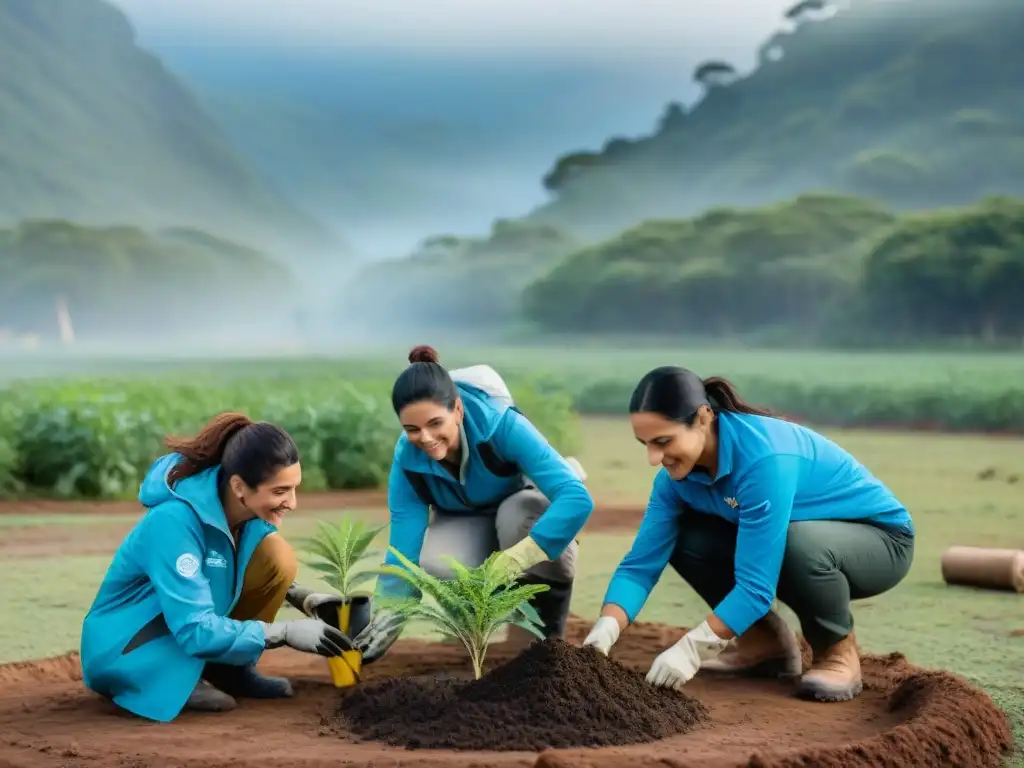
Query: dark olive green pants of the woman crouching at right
[827, 565]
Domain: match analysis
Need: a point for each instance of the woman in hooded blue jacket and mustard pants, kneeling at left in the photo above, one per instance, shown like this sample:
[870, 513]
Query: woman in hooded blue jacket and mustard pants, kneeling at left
[194, 589]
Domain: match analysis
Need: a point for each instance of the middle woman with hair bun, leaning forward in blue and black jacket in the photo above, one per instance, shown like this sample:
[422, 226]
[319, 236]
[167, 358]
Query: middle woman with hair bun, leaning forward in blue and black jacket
[494, 482]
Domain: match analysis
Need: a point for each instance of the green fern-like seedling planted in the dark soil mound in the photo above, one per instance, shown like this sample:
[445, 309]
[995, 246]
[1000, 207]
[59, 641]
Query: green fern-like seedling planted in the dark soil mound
[471, 608]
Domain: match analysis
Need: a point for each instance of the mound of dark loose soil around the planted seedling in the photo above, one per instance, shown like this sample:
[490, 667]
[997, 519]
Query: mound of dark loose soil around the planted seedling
[551, 696]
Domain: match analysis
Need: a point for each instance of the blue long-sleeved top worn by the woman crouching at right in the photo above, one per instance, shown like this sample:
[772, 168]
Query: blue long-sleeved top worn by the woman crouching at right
[771, 474]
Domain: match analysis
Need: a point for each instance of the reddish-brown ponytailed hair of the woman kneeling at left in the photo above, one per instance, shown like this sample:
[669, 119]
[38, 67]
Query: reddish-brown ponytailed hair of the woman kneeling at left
[254, 451]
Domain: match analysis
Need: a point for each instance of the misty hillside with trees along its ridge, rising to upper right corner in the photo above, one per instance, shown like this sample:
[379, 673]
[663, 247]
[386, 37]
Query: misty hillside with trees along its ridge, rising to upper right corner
[914, 104]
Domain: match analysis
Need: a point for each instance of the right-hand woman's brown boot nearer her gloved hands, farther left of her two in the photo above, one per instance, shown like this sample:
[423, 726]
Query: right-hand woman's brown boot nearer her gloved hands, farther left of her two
[769, 649]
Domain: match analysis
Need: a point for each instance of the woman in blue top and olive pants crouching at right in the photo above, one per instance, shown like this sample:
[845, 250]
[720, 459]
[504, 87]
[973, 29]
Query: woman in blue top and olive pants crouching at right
[748, 508]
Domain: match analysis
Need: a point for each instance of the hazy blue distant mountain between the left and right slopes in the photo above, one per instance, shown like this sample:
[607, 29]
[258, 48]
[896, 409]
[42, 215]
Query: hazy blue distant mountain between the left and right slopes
[391, 148]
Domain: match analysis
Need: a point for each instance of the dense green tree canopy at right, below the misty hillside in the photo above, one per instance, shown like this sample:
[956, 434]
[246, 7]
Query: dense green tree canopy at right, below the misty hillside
[821, 267]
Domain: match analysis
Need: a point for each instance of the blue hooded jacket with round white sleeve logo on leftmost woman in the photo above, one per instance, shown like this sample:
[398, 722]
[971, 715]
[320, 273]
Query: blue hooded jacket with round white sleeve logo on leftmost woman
[161, 611]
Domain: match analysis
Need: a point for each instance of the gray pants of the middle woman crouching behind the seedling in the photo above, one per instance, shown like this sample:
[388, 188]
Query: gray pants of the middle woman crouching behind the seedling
[471, 539]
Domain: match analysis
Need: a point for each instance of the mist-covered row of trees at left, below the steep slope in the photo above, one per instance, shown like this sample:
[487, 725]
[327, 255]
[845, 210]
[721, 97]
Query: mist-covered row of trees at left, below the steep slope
[127, 283]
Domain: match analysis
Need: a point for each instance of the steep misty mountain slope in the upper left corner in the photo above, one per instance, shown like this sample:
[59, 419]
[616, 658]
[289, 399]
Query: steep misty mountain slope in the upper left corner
[96, 130]
